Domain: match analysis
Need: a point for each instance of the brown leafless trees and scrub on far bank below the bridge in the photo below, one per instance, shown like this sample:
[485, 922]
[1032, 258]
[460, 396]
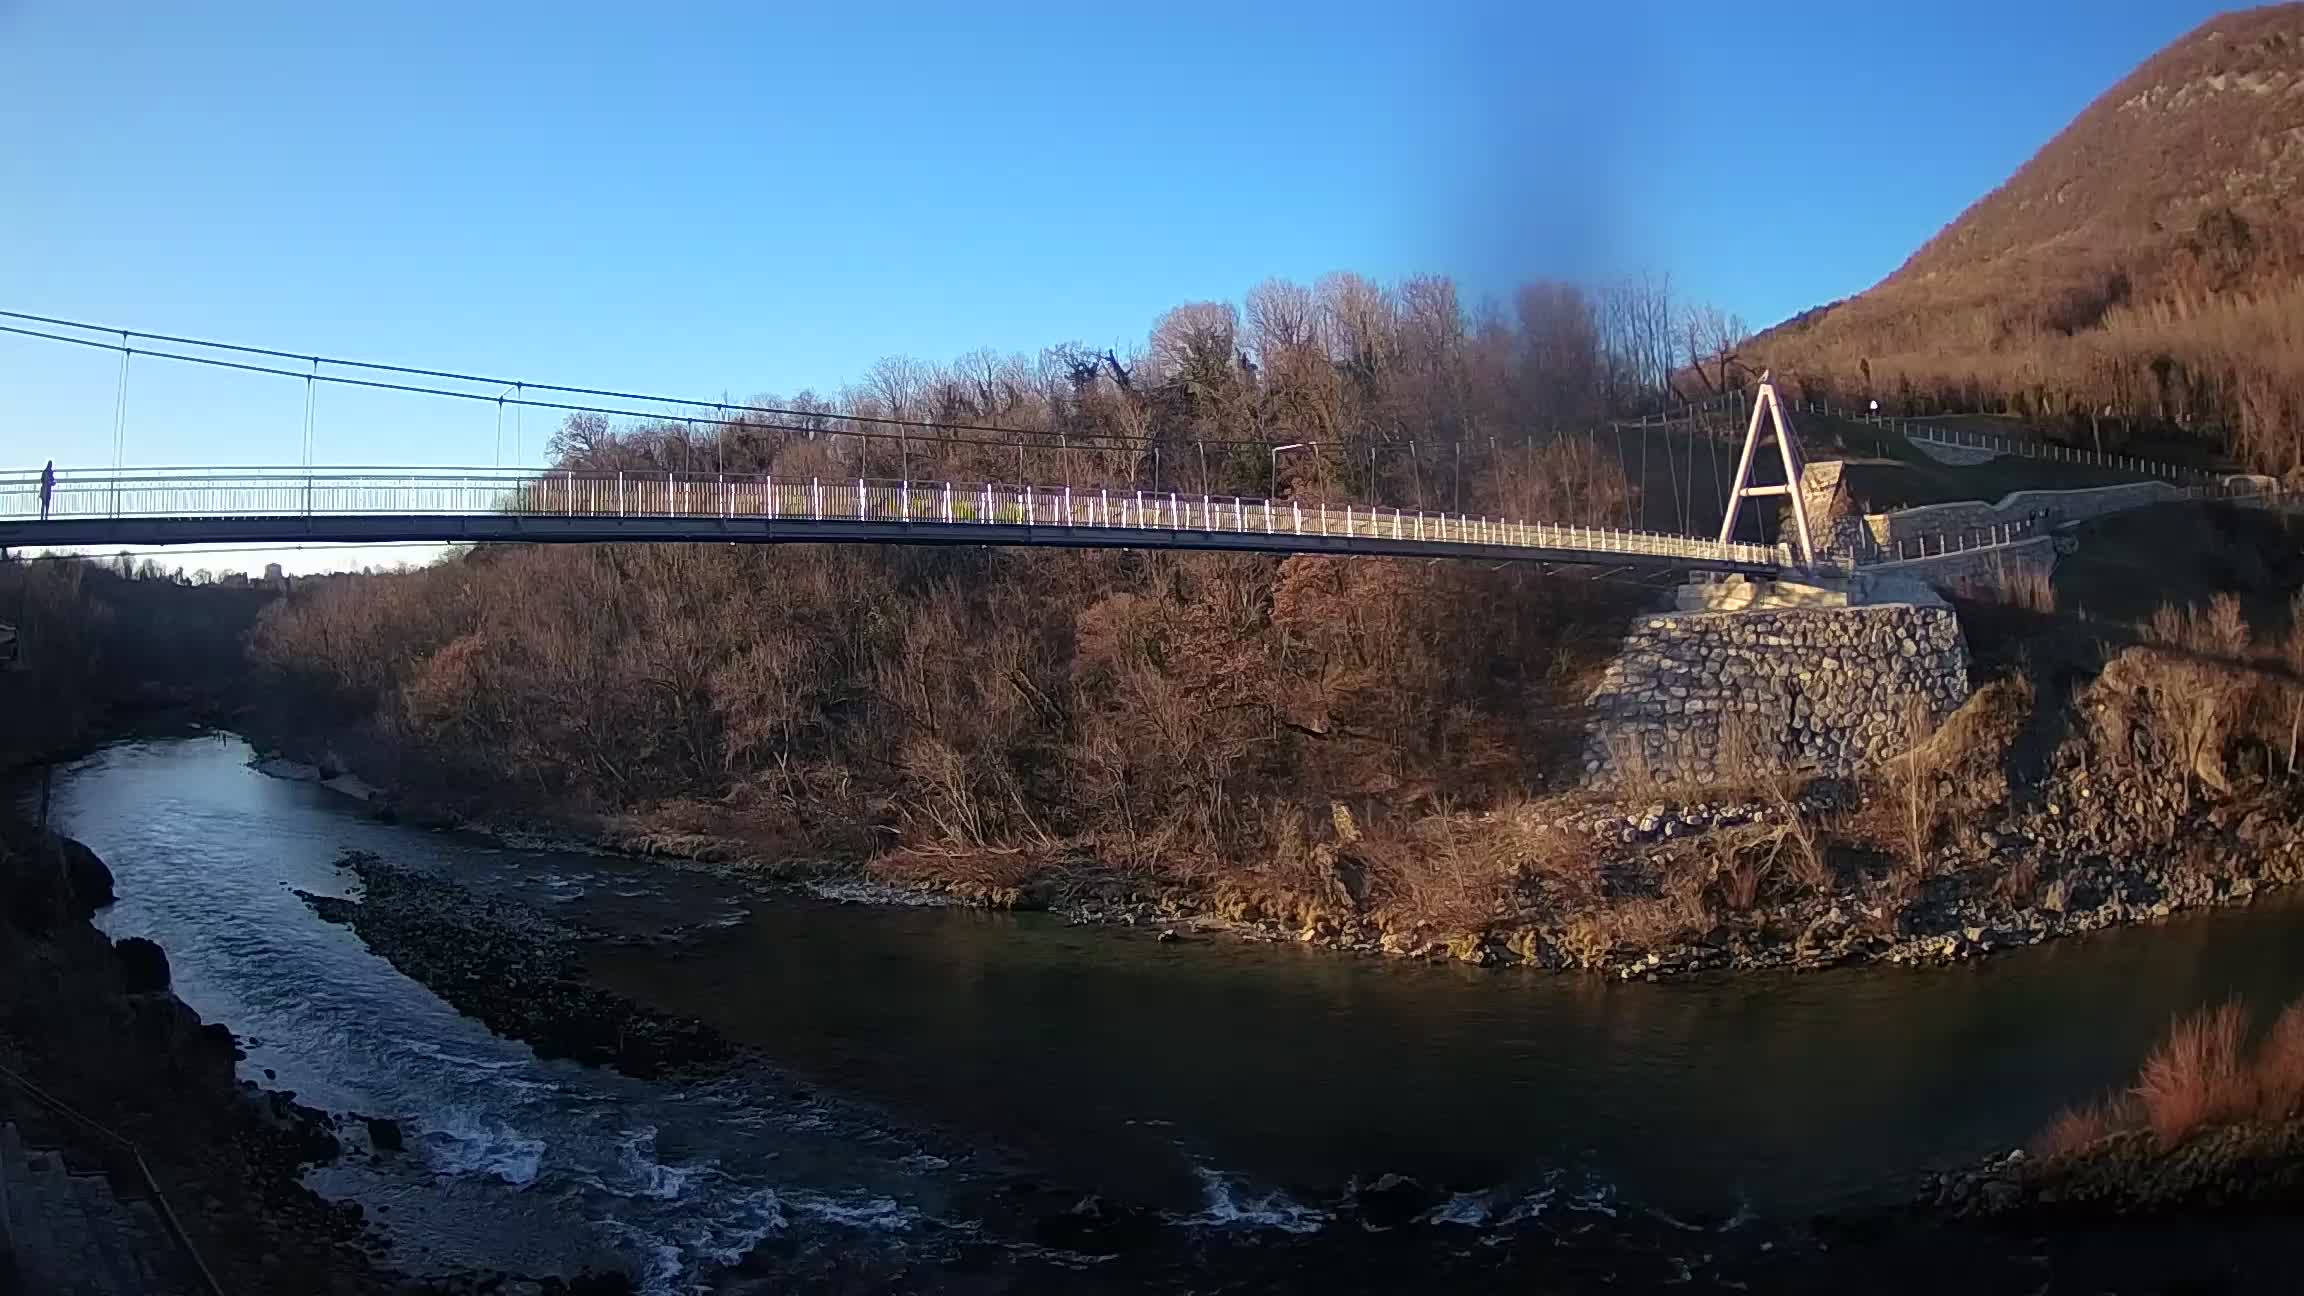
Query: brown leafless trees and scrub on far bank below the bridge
[1367, 753]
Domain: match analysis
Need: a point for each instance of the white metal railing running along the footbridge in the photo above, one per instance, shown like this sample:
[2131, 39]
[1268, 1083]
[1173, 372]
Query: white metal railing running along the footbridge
[485, 492]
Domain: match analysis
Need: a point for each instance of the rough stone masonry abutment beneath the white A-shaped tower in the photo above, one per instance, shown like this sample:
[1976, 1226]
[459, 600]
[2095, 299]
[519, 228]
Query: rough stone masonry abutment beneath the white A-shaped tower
[1819, 688]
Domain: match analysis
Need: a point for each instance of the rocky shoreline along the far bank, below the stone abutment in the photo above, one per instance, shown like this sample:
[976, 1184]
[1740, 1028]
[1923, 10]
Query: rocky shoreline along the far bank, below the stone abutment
[2093, 861]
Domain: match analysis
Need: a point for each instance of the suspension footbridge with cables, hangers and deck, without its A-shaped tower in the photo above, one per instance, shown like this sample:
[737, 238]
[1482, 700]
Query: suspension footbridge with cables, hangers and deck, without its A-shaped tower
[1135, 506]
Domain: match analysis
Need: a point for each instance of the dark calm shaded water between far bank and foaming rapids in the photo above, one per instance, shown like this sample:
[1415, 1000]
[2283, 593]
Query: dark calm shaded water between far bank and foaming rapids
[1135, 1062]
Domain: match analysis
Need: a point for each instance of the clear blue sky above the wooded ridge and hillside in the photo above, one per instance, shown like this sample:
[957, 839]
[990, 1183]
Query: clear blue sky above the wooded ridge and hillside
[757, 199]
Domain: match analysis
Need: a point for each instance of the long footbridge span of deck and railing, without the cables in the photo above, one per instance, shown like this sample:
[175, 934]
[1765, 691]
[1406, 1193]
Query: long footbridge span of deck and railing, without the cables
[467, 506]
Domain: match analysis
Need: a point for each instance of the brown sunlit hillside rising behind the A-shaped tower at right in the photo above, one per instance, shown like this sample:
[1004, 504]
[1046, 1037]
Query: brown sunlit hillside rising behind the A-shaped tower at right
[2148, 262]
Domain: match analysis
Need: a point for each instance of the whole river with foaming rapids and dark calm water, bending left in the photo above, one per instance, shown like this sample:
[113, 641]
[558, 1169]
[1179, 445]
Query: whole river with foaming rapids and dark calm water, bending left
[932, 1055]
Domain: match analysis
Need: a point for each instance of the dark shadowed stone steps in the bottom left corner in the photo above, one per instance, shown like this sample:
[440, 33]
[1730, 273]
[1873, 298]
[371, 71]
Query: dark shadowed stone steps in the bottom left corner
[70, 1235]
